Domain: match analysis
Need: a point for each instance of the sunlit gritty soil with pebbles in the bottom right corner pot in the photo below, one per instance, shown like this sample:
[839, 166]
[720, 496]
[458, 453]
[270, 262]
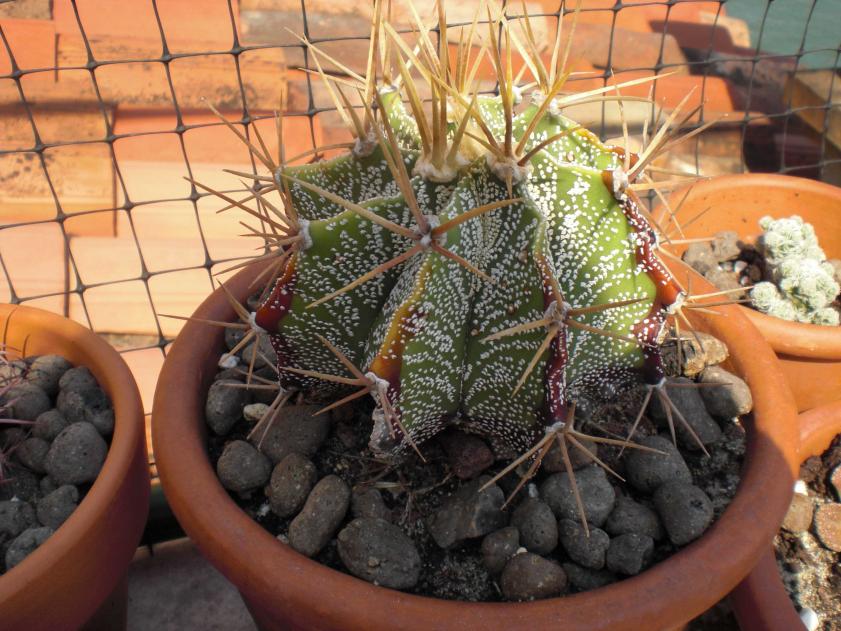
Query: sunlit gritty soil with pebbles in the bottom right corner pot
[809, 545]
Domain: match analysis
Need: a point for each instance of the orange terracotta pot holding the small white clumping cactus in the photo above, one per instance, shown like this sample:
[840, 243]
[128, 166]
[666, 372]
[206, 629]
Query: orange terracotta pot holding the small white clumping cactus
[810, 354]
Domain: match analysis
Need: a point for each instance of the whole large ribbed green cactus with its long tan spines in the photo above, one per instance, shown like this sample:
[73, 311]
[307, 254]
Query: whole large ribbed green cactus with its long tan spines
[485, 266]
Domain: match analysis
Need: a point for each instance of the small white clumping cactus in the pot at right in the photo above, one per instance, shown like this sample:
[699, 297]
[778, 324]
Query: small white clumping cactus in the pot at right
[803, 284]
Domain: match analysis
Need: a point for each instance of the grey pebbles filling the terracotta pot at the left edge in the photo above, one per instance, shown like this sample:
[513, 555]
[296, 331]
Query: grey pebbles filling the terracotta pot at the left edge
[56, 424]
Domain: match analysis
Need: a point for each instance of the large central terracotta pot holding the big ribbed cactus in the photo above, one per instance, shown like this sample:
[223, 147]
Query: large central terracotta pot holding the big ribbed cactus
[284, 590]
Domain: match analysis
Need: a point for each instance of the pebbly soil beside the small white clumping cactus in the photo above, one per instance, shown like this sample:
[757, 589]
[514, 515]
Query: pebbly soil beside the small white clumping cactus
[729, 263]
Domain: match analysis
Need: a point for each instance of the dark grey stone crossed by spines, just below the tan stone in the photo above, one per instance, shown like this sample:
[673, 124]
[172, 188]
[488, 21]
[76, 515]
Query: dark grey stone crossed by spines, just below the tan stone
[690, 404]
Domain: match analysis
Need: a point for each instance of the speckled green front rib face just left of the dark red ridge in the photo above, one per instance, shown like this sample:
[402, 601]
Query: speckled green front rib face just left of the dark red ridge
[514, 239]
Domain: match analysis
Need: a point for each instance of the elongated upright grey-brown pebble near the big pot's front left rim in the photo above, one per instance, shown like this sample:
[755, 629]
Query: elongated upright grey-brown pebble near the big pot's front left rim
[321, 516]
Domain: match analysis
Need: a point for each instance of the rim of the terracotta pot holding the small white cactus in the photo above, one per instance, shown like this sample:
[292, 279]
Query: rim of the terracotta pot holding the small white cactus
[791, 338]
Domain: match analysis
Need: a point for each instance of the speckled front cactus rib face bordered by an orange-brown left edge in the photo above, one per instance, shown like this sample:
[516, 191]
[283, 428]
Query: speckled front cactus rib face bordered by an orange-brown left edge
[419, 347]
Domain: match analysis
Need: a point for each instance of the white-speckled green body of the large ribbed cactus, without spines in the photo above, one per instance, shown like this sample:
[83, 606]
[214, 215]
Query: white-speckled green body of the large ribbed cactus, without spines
[418, 330]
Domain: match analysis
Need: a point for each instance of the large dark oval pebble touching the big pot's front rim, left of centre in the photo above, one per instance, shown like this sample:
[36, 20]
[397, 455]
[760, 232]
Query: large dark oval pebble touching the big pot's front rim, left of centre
[380, 553]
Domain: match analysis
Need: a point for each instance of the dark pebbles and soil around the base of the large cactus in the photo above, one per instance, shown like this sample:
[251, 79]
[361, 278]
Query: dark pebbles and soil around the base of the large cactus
[440, 527]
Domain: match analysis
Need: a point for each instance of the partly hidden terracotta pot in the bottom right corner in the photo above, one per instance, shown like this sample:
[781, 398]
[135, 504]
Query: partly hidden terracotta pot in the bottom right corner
[761, 601]
